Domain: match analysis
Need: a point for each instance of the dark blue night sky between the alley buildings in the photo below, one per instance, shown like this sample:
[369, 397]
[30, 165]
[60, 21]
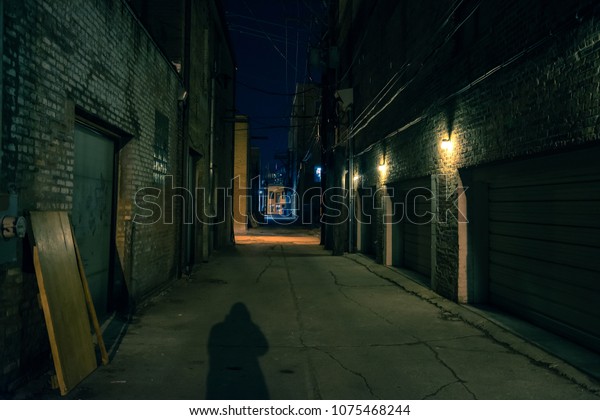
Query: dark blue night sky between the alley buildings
[271, 39]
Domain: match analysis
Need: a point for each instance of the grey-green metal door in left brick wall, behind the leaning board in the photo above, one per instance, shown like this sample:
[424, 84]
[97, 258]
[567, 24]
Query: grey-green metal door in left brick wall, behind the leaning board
[93, 209]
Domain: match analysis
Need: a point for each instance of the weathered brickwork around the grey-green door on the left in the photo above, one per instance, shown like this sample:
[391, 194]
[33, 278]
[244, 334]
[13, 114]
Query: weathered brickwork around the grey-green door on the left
[62, 59]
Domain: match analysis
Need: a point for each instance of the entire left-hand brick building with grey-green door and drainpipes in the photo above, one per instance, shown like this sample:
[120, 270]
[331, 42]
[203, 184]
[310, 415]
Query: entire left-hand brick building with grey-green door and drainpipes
[99, 114]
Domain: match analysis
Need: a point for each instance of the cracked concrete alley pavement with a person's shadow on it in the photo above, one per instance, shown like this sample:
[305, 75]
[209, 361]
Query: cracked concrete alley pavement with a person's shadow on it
[280, 318]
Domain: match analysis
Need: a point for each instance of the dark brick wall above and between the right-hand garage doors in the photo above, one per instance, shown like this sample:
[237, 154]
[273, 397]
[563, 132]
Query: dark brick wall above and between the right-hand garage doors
[504, 80]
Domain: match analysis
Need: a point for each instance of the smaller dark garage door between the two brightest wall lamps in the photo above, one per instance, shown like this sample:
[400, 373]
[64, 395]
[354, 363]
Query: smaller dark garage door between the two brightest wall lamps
[411, 236]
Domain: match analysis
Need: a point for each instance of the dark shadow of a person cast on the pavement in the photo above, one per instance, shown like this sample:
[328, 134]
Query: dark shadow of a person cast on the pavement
[234, 346]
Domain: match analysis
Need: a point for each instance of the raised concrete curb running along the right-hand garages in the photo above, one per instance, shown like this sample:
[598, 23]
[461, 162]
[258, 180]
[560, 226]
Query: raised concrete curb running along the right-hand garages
[493, 330]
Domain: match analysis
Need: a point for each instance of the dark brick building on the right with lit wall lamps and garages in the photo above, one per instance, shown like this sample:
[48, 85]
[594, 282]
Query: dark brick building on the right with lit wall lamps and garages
[469, 150]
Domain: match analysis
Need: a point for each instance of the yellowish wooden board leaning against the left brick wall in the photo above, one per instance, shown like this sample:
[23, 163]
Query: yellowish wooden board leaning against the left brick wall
[62, 298]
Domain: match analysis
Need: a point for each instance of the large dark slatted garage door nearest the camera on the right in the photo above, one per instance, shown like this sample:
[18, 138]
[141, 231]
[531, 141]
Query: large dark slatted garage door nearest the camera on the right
[544, 243]
